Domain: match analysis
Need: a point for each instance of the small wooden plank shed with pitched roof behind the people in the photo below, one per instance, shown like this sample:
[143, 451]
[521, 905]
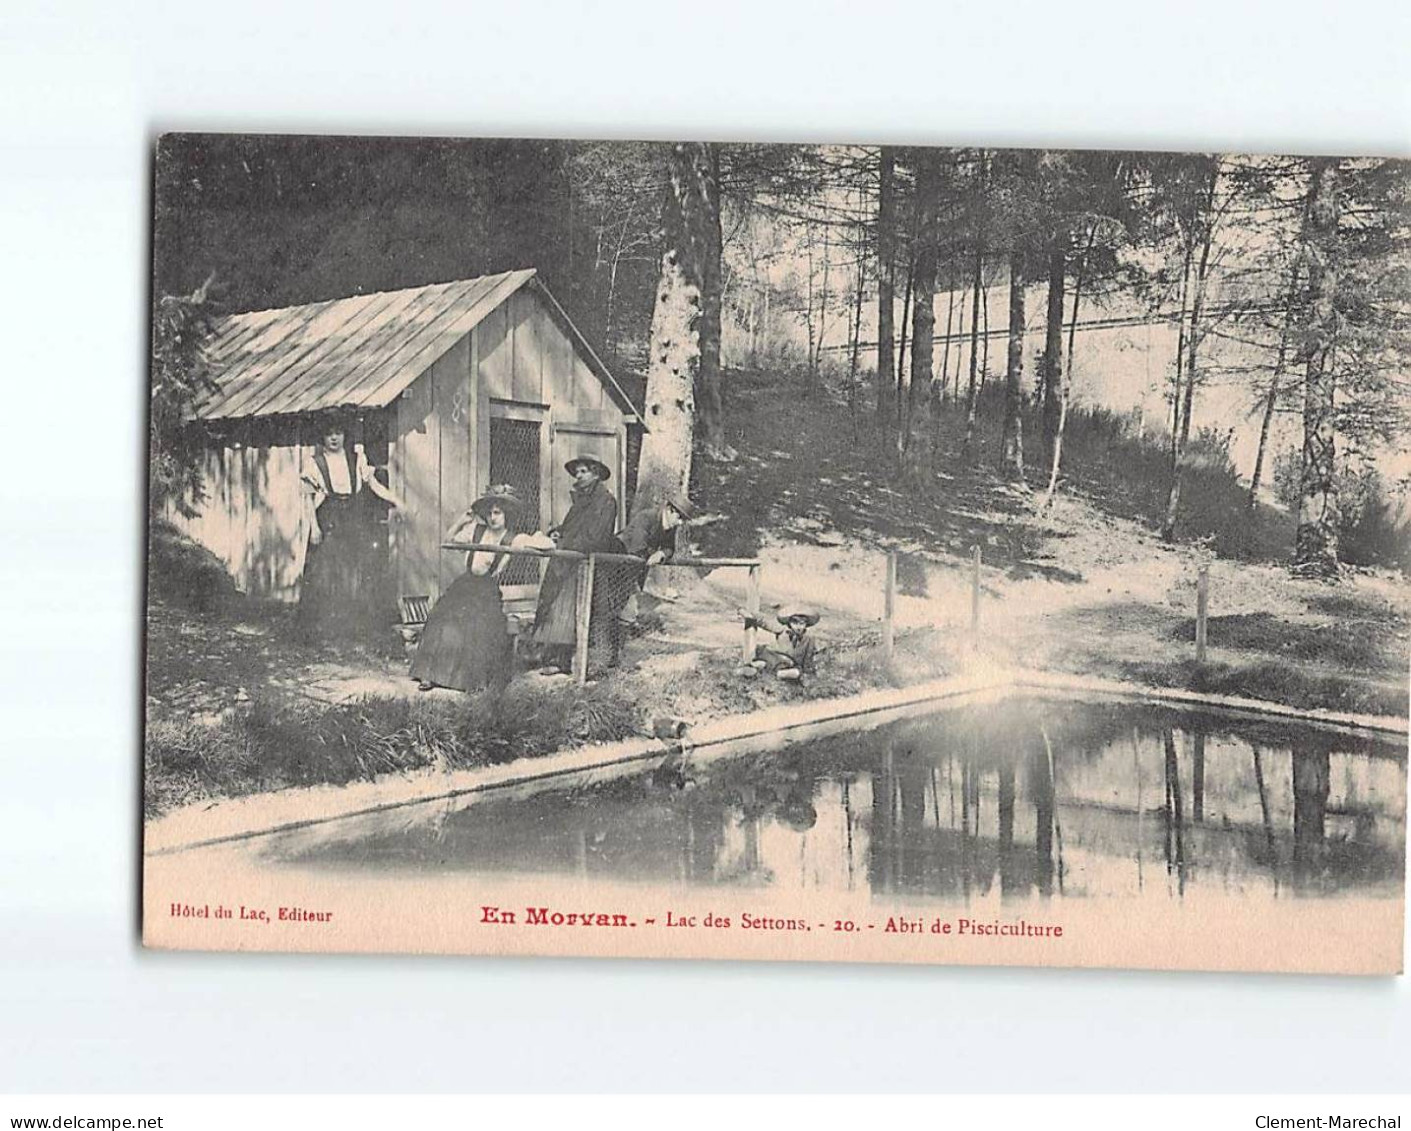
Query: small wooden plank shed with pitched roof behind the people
[454, 387]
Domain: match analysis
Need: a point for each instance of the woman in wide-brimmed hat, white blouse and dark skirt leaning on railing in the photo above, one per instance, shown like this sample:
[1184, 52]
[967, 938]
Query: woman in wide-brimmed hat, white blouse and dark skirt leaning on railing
[466, 642]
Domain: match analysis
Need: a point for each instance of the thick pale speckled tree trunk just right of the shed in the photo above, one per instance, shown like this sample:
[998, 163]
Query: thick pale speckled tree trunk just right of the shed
[675, 350]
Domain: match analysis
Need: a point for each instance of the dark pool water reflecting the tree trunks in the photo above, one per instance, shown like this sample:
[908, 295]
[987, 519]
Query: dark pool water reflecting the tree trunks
[1050, 800]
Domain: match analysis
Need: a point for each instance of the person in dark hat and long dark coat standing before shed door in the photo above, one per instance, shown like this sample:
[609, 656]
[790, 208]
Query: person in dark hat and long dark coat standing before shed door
[588, 528]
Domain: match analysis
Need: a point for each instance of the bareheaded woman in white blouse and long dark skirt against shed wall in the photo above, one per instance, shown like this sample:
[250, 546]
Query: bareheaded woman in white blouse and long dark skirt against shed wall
[337, 594]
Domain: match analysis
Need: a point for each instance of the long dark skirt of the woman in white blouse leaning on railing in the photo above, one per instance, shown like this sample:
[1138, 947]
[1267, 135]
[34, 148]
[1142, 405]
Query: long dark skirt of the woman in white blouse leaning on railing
[466, 642]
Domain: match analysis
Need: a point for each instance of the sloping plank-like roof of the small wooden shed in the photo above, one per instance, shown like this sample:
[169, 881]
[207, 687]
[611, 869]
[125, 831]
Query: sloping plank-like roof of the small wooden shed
[356, 353]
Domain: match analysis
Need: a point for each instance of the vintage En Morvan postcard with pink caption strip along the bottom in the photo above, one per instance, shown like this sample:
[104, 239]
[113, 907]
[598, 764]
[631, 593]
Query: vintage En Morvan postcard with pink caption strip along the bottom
[839, 554]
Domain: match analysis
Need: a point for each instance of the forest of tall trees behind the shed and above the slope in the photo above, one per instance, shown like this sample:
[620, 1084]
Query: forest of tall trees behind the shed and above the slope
[873, 267]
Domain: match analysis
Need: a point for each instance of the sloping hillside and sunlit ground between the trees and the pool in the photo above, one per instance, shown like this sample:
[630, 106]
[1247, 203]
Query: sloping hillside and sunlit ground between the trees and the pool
[1084, 587]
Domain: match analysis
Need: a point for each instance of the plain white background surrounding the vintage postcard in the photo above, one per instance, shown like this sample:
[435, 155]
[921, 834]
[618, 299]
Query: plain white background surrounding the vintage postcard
[84, 90]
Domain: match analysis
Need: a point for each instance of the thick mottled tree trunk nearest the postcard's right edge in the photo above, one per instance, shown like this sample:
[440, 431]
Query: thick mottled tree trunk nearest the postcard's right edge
[1316, 544]
